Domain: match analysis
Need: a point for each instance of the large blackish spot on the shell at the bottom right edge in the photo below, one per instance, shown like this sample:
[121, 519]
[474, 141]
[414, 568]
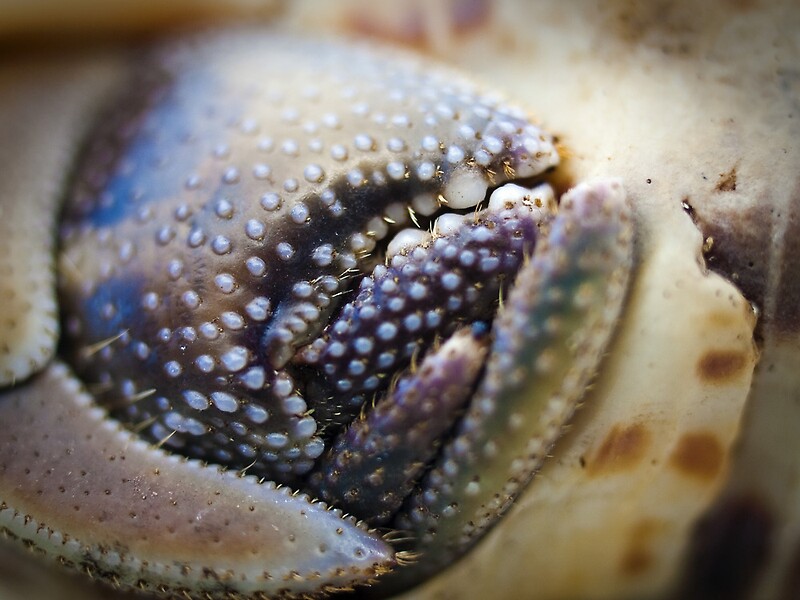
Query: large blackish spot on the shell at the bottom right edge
[730, 547]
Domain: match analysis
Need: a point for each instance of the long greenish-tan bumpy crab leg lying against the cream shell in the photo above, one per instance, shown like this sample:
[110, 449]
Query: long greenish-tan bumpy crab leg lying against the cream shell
[549, 338]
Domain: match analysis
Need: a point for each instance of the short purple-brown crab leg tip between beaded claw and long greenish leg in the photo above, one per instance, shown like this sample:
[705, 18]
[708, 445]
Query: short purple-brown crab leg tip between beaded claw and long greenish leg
[374, 464]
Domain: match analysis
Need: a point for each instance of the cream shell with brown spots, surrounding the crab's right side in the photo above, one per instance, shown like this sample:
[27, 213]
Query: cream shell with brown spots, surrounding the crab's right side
[683, 442]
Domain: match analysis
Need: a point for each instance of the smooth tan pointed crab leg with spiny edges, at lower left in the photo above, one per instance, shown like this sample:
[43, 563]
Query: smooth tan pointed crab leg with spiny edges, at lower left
[81, 490]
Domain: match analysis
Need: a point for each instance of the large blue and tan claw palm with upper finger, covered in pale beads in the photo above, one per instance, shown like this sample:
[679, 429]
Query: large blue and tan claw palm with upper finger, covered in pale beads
[223, 212]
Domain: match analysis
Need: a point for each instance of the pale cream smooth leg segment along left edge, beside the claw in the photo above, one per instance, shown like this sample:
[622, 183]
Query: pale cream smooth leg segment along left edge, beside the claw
[35, 164]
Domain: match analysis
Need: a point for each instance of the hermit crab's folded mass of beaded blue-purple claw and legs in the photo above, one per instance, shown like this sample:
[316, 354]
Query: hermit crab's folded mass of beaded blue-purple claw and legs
[261, 237]
